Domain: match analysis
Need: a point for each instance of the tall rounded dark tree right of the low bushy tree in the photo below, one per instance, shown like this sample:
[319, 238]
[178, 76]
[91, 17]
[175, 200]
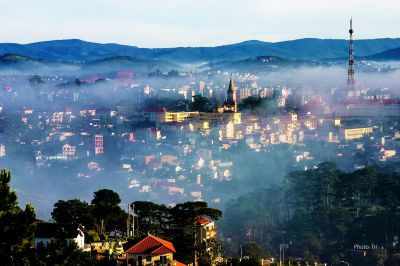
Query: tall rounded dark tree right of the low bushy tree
[106, 209]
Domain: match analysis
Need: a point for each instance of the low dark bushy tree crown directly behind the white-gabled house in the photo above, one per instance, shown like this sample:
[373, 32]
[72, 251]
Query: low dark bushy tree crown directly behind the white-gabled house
[72, 212]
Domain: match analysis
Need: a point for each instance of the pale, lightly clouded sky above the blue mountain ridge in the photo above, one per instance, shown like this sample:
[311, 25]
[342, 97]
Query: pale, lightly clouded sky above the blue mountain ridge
[172, 23]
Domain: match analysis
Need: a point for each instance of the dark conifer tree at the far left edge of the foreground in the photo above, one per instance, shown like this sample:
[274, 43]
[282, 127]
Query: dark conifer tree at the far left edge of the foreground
[16, 225]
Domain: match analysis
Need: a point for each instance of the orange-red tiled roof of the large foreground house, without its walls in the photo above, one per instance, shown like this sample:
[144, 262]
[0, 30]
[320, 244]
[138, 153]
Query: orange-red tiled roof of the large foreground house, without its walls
[151, 245]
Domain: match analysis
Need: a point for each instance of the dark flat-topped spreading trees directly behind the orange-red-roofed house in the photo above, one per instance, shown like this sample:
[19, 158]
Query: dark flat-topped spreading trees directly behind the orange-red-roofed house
[177, 225]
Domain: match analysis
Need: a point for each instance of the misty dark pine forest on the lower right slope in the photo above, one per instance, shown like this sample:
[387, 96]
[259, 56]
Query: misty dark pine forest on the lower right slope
[322, 213]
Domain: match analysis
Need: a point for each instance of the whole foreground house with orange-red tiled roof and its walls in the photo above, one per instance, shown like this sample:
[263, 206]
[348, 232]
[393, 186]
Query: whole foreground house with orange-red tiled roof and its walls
[149, 250]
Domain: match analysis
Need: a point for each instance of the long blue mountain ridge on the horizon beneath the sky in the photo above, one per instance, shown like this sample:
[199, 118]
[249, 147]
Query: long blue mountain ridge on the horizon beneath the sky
[310, 49]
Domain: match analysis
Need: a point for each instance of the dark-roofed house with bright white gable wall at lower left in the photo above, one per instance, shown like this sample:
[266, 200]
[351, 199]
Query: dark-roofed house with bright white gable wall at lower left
[48, 232]
